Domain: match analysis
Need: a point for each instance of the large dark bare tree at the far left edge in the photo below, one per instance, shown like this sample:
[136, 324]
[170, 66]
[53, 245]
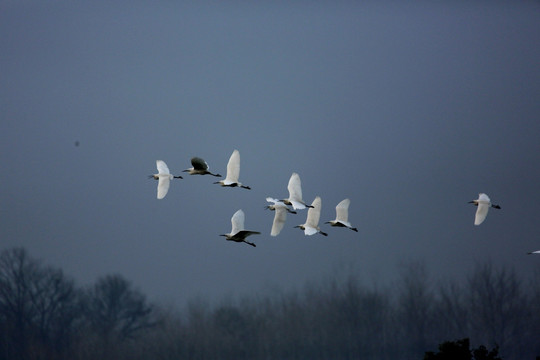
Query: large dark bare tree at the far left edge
[38, 307]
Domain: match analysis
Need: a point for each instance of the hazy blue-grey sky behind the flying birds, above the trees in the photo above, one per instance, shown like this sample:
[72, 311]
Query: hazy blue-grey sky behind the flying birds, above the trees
[410, 109]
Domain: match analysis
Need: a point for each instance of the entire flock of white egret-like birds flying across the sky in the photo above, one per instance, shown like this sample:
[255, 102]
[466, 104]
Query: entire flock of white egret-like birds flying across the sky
[281, 207]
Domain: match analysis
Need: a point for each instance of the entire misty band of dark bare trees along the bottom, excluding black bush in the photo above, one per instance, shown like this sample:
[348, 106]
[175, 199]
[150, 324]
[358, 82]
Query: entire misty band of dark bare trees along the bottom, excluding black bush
[44, 315]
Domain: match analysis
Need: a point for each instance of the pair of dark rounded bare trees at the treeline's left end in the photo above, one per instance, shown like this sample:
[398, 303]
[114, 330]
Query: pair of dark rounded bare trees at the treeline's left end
[43, 315]
